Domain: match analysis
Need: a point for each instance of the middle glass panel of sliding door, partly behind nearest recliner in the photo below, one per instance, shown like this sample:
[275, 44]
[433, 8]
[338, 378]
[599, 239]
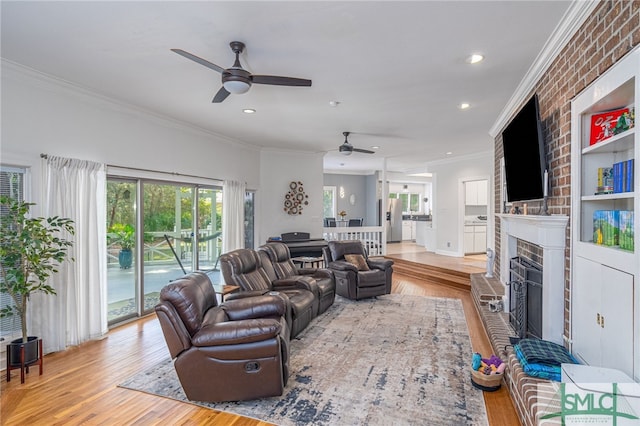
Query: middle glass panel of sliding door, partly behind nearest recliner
[169, 247]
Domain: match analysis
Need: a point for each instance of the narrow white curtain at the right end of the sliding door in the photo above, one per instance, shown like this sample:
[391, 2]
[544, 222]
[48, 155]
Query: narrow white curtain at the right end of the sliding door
[233, 194]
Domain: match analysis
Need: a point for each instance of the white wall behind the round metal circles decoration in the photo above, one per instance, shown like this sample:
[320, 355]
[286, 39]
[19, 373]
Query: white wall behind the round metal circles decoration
[278, 170]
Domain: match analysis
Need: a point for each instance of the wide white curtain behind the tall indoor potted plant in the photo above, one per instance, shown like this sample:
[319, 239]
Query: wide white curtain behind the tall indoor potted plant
[75, 189]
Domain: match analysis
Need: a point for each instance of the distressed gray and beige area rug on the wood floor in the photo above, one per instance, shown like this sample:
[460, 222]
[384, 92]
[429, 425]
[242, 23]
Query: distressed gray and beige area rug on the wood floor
[394, 360]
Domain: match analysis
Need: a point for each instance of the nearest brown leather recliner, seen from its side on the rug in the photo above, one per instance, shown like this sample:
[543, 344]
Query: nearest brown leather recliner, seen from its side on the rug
[235, 351]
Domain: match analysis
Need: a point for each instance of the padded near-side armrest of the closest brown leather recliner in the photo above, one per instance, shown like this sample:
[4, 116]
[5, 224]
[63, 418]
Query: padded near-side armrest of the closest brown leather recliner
[237, 332]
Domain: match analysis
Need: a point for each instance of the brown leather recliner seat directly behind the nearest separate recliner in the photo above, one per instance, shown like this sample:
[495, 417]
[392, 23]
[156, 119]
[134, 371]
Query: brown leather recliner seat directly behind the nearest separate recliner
[244, 268]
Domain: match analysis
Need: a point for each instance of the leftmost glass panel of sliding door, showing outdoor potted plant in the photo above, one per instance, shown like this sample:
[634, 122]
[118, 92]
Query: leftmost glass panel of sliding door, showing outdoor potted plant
[122, 302]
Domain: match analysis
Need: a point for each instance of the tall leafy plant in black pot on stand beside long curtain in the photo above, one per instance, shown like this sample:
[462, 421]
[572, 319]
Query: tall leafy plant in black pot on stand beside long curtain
[31, 250]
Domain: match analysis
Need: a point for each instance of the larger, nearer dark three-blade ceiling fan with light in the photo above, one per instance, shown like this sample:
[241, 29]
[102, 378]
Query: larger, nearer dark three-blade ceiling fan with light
[236, 79]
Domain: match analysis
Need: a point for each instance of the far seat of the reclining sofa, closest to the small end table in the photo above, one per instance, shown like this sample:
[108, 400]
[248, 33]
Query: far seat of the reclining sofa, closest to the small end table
[283, 267]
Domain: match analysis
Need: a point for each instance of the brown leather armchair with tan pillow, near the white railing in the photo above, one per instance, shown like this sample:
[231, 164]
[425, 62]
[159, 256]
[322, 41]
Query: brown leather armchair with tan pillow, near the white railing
[353, 282]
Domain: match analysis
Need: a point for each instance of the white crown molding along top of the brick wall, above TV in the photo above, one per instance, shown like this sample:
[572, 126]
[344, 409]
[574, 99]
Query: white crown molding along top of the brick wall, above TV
[572, 20]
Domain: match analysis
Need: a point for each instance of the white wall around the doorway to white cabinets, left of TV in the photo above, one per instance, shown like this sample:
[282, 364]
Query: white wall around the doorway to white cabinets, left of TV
[448, 199]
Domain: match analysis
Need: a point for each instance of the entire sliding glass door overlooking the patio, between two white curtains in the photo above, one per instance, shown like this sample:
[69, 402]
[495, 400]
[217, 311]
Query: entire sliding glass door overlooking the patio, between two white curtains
[158, 240]
